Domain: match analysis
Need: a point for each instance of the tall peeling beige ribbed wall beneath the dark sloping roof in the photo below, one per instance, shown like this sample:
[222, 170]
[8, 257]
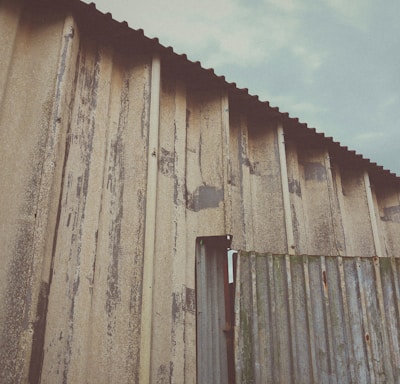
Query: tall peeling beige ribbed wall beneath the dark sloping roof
[116, 155]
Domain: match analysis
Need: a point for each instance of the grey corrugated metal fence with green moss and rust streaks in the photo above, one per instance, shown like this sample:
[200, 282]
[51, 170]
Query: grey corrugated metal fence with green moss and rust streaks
[317, 319]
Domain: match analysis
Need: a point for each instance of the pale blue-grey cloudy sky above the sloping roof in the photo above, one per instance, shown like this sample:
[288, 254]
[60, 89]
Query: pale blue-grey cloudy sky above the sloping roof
[334, 64]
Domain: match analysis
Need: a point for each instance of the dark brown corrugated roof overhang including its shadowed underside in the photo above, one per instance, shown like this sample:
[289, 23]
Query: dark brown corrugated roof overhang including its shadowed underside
[114, 28]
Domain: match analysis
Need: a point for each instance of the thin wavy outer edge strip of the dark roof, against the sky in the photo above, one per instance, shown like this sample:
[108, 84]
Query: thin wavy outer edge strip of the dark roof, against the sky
[233, 85]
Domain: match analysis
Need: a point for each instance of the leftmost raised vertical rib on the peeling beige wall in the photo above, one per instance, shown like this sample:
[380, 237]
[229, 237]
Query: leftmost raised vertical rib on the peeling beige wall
[47, 216]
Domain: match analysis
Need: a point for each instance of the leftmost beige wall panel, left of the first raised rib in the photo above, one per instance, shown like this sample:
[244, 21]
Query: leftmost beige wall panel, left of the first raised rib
[29, 132]
